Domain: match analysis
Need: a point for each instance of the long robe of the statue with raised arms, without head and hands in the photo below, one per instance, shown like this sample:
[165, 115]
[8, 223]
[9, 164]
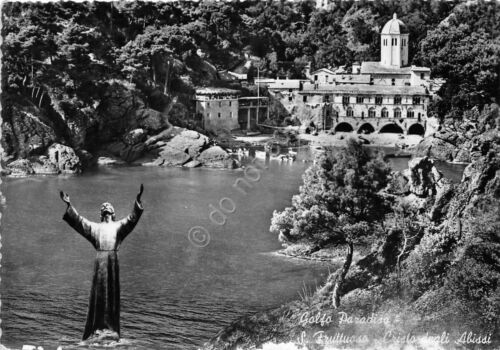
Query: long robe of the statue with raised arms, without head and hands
[104, 304]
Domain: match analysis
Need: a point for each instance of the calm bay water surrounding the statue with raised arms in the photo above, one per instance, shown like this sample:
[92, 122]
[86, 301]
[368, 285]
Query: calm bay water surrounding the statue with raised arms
[174, 295]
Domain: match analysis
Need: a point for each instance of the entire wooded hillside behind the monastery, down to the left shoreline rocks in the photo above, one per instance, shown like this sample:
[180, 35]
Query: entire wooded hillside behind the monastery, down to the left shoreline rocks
[86, 74]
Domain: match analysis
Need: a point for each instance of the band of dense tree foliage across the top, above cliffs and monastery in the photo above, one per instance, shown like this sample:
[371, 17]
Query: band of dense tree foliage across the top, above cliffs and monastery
[75, 48]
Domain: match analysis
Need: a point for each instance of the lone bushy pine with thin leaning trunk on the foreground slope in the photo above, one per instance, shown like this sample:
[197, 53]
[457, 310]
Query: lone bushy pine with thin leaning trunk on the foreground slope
[338, 204]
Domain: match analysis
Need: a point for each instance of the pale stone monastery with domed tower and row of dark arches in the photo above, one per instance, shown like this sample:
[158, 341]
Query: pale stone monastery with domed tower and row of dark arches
[384, 96]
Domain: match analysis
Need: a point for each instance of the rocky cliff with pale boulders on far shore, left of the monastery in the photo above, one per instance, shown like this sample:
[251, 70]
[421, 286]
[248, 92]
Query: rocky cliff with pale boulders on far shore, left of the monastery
[50, 135]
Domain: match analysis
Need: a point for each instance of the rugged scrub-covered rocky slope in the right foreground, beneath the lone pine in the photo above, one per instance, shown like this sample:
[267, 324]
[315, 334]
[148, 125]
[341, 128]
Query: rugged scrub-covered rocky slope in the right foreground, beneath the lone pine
[444, 277]
